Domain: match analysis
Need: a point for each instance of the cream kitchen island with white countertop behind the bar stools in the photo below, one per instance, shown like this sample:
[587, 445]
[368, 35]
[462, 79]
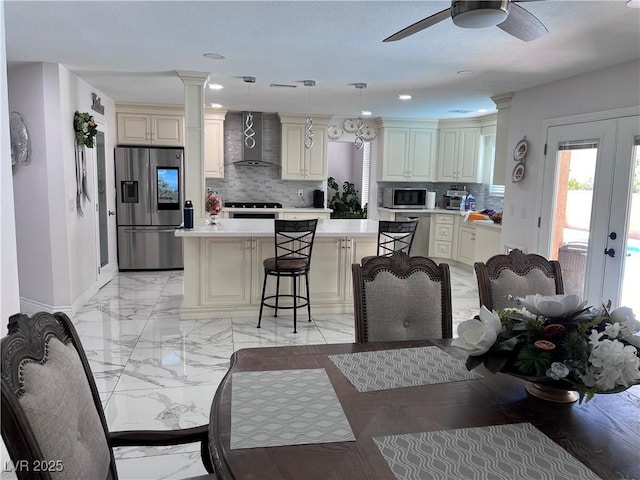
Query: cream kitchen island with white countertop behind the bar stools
[223, 270]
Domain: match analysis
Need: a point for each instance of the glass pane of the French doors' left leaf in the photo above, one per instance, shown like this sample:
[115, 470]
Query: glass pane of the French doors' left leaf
[572, 215]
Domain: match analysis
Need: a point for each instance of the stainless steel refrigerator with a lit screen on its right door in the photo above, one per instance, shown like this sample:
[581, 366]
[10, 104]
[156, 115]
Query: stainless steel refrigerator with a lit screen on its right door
[149, 199]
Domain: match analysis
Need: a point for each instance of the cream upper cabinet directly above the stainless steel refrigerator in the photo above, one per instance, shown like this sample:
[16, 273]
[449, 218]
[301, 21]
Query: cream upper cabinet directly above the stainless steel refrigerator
[148, 125]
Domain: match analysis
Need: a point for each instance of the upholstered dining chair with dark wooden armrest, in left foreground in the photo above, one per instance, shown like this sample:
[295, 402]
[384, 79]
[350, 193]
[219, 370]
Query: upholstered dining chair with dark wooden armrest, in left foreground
[52, 416]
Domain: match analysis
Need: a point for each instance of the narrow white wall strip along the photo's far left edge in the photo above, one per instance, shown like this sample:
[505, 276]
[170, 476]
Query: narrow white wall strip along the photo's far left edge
[9, 293]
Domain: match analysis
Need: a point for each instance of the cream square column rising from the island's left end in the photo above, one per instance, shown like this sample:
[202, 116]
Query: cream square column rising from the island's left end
[194, 83]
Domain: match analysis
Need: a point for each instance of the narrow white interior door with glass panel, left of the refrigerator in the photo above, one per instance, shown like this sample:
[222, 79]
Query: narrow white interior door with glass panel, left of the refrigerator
[105, 212]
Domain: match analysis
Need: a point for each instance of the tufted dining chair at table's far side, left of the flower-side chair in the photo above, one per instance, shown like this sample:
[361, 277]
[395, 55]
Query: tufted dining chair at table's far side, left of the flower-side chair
[401, 298]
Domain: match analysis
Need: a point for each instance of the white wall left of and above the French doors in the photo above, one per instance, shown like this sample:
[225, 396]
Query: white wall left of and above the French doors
[601, 90]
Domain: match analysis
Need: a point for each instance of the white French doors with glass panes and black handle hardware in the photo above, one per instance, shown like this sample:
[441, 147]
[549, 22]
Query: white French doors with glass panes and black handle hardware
[590, 220]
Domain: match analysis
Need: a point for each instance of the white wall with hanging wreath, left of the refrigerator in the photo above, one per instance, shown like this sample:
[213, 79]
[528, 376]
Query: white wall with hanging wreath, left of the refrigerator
[57, 251]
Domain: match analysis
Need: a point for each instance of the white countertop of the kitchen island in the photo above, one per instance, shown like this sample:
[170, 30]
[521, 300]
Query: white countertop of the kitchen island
[248, 227]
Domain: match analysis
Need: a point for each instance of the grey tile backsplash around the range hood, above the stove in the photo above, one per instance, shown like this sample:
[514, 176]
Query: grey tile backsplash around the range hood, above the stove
[253, 183]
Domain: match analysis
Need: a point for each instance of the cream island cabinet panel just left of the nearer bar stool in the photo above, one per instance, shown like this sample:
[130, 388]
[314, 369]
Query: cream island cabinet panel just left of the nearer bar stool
[227, 279]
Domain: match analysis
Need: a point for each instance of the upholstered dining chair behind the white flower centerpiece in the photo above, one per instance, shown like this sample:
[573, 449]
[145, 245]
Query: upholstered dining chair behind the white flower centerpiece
[517, 274]
